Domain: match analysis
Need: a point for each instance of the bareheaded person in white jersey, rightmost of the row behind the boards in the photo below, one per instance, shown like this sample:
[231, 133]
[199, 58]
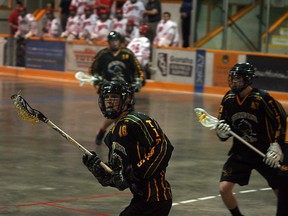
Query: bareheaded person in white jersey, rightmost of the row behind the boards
[167, 32]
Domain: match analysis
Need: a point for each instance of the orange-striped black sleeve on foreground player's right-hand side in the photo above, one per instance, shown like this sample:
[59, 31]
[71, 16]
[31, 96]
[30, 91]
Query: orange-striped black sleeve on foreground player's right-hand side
[151, 148]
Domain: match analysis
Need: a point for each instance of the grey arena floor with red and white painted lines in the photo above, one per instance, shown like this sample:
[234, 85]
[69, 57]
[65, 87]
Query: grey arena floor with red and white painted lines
[41, 173]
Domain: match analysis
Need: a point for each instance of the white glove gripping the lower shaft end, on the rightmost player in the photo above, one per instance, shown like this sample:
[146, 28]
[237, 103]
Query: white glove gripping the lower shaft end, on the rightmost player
[273, 156]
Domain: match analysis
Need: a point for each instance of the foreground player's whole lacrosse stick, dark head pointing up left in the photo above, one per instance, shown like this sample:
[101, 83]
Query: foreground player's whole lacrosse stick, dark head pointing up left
[27, 113]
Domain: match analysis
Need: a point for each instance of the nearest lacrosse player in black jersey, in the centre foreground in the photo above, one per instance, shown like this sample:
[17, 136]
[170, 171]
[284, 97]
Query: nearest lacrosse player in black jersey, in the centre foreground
[139, 152]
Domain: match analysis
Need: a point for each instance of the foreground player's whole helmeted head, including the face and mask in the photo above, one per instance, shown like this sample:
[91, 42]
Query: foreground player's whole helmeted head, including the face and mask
[115, 98]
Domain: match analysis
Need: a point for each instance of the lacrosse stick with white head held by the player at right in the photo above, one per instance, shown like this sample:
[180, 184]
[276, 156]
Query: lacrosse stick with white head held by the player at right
[211, 122]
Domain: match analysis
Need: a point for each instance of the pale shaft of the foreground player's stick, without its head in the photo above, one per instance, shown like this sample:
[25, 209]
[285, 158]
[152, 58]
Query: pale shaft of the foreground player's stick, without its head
[74, 142]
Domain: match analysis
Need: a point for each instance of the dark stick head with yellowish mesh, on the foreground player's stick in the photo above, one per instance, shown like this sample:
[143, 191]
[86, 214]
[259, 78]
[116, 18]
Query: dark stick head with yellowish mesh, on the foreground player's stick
[25, 111]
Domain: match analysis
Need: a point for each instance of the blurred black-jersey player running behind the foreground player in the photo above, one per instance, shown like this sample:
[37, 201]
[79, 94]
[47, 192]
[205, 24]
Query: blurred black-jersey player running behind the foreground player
[115, 62]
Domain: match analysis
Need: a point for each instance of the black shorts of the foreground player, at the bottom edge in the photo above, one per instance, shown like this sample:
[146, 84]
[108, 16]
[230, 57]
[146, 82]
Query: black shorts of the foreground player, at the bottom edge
[138, 207]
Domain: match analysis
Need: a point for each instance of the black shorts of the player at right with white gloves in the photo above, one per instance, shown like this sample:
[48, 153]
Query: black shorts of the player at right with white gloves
[238, 171]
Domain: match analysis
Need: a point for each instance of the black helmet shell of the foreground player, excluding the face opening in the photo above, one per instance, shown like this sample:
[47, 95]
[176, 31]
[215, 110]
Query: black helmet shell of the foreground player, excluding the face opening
[121, 88]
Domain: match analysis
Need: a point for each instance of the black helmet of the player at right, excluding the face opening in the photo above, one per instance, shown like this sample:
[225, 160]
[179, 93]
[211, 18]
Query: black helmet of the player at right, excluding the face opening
[244, 70]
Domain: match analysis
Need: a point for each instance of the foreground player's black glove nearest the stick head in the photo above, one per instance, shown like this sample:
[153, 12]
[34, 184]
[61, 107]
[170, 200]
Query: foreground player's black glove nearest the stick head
[93, 164]
